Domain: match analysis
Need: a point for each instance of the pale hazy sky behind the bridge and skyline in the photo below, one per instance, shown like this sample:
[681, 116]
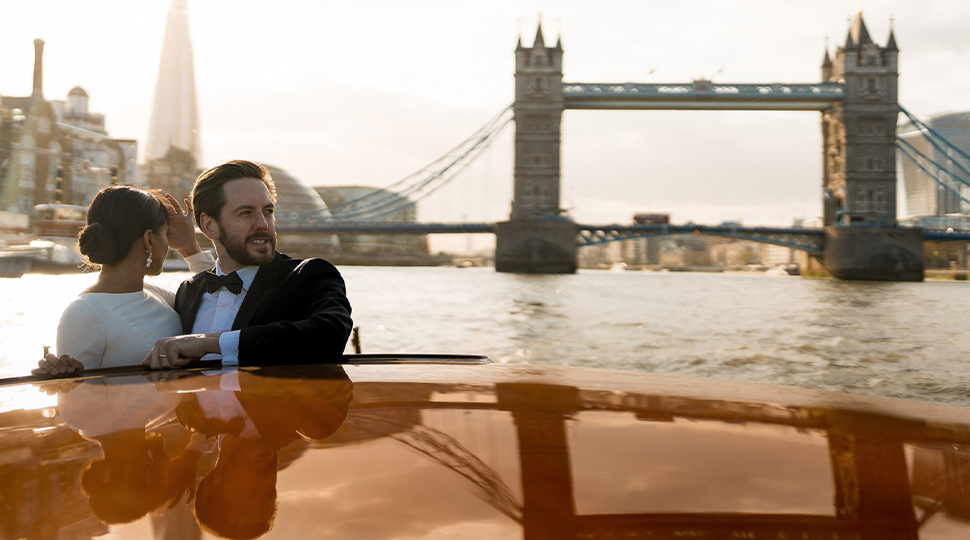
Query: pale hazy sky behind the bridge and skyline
[367, 92]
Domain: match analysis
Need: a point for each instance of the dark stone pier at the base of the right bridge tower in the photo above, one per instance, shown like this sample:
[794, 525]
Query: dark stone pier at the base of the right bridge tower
[874, 252]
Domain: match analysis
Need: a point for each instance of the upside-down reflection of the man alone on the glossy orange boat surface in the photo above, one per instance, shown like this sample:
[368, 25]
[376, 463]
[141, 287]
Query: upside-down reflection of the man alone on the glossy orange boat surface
[253, 418]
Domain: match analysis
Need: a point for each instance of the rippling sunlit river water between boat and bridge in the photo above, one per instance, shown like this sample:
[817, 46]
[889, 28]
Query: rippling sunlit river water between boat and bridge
[905, 340]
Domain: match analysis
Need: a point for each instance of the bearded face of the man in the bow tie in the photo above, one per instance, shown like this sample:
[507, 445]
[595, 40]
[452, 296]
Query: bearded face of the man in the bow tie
[247, 225]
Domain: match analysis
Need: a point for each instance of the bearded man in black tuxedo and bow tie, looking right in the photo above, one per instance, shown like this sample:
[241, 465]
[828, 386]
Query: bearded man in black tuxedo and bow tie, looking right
[258, 306]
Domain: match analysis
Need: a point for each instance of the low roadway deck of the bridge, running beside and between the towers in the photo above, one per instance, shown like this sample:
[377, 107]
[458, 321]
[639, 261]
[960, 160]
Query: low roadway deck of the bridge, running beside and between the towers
[805, 239]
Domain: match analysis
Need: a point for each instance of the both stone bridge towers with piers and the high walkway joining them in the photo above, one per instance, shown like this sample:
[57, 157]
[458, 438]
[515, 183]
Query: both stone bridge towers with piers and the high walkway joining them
[857, 99]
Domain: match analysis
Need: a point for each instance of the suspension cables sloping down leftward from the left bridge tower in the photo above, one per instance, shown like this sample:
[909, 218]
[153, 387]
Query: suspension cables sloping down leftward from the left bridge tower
[418, 185]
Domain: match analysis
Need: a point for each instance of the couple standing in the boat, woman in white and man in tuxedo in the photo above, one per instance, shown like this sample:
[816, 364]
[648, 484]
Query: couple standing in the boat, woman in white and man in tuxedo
[257, 306]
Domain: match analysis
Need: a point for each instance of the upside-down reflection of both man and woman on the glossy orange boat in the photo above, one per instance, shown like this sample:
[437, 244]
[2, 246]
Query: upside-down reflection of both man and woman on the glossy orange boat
[240, 419]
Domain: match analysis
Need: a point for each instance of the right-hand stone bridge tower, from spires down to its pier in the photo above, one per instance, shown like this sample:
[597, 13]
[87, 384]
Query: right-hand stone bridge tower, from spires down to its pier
[859, 164]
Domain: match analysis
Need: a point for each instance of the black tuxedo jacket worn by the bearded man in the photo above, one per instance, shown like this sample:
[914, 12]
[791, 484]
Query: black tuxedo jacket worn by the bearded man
[296, 311]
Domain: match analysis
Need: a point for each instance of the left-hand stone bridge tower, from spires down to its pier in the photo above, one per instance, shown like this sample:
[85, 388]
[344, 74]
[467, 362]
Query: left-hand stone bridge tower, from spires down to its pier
[538, 238]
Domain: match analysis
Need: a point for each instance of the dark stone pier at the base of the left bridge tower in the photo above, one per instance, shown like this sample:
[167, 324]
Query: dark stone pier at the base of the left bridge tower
[536, 246]
